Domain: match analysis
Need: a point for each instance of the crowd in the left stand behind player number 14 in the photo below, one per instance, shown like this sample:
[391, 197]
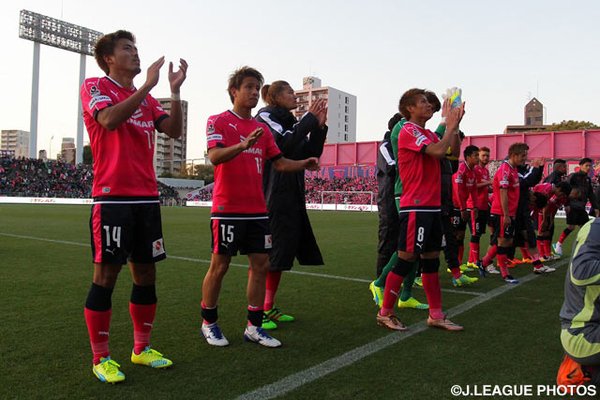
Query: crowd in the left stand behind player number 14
[28, 177]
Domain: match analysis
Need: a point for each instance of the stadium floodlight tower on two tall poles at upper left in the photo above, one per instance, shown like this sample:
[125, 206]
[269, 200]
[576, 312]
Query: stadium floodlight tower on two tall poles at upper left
[66, 36]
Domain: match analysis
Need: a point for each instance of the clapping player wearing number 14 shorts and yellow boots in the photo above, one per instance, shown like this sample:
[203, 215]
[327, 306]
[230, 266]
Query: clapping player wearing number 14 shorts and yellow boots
[125, 224]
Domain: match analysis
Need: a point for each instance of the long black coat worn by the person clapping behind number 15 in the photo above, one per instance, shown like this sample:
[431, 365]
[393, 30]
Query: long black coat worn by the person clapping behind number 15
[284, 192]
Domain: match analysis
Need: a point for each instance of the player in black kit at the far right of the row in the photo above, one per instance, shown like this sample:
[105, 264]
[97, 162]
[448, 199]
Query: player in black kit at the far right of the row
[582, 192]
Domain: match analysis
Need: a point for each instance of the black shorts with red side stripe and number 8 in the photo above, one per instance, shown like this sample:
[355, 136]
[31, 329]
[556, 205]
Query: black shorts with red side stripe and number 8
[420, 231]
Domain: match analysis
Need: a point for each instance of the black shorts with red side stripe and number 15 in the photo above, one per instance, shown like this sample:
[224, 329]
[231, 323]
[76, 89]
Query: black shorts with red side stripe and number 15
[248, 236]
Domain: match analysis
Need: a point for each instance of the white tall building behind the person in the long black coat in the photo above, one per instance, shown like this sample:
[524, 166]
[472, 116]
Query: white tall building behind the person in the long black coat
[341, 112]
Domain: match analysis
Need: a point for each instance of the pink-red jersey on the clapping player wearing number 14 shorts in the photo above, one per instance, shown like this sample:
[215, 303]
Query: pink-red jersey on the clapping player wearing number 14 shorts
[123, 157]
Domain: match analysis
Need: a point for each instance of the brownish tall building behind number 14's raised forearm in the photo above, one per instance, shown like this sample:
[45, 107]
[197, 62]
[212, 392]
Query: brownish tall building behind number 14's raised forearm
[170, 154]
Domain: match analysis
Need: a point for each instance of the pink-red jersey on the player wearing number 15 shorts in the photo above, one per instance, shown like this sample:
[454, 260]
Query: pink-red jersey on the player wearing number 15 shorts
[239, 182]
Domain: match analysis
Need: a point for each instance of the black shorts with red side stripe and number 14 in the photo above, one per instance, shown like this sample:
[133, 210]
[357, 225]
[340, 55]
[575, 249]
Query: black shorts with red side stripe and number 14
[122, 231]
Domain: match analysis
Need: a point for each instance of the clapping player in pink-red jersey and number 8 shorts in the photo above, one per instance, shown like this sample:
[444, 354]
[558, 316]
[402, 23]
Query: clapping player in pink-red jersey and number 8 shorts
[419, 151]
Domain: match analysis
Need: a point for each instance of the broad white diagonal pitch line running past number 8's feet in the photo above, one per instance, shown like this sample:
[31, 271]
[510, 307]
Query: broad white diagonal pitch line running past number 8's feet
[294, 381]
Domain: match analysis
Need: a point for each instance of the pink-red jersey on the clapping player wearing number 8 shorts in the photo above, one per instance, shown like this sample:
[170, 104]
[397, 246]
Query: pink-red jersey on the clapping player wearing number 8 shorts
[420, 173]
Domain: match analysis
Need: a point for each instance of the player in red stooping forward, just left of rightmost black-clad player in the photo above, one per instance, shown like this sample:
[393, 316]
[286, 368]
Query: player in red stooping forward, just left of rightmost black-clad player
[557, 196]
